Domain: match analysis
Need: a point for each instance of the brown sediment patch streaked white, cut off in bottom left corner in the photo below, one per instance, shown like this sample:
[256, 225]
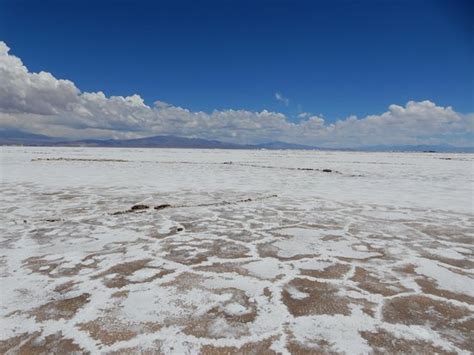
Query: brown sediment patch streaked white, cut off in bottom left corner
[27, 344]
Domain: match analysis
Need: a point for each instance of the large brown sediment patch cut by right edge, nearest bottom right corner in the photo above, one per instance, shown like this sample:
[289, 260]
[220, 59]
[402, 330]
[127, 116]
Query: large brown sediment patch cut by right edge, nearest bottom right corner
[450, 321]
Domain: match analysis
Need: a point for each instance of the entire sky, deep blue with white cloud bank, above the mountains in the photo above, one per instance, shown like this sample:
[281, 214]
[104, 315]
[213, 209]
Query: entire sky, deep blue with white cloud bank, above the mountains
[334, 73]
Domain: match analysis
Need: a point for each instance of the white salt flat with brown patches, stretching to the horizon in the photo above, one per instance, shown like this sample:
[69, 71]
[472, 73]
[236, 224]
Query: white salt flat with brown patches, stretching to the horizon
[222, 251]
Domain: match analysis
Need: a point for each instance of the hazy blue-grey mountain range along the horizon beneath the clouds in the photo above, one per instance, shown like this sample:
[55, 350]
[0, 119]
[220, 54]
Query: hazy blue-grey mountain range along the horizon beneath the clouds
[14, 137]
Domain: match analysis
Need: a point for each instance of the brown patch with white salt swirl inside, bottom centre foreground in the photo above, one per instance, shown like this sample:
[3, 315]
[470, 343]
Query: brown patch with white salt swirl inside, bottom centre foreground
[229, 320]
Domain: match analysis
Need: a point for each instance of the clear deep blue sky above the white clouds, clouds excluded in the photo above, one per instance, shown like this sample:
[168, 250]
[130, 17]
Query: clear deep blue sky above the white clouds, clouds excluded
[334, 58]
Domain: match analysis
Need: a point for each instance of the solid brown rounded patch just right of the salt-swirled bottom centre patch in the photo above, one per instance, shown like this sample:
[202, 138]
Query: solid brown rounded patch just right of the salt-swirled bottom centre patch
[321, 298]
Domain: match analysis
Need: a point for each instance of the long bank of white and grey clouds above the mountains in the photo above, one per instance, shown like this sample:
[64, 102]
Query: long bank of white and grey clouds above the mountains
[40, 103]
